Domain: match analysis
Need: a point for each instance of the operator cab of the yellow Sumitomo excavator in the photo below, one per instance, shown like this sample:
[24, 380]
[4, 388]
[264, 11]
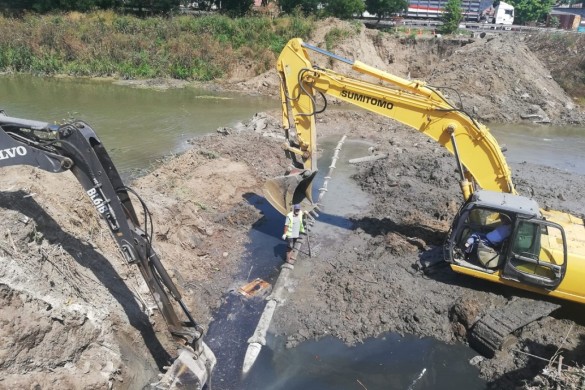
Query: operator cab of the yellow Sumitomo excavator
[534, 254]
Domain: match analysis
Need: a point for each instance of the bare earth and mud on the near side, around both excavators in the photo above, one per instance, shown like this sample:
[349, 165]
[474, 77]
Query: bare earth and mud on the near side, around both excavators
[374, 279]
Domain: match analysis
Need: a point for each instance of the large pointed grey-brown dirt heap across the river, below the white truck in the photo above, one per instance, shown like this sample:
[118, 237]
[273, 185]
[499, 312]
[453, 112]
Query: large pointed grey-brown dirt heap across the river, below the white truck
[499, 78]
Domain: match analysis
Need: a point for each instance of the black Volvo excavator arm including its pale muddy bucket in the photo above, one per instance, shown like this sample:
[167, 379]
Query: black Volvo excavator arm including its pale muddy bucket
[75, 146]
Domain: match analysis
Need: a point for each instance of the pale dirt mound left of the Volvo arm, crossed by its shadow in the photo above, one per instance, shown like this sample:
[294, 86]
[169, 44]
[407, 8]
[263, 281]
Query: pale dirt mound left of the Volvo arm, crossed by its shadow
[61, 298]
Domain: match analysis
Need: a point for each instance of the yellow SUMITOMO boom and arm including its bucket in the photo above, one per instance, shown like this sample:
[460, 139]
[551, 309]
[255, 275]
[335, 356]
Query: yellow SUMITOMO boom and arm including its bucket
[411, 102]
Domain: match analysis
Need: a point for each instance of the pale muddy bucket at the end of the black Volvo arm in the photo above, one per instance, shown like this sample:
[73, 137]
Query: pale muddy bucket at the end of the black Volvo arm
[191, 370]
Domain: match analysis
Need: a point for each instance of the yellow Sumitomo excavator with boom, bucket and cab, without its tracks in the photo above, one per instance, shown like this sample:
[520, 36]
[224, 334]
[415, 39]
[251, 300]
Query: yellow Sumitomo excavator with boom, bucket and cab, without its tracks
[545, 249]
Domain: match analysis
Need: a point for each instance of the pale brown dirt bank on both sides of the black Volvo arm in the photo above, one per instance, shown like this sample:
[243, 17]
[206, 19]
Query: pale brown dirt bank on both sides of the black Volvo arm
[75, 314]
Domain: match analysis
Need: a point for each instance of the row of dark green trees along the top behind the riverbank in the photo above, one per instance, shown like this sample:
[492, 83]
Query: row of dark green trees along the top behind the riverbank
[526, 10]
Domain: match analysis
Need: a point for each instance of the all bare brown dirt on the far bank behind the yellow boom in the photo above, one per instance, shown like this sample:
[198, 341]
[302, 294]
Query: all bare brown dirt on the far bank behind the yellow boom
[496, 78]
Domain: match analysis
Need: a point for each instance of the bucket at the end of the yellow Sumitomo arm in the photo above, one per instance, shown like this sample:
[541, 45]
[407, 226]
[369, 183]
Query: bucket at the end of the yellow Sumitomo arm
[294, 188]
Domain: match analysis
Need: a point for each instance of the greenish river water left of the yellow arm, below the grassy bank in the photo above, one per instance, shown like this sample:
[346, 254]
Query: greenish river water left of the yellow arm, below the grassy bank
[137, 126]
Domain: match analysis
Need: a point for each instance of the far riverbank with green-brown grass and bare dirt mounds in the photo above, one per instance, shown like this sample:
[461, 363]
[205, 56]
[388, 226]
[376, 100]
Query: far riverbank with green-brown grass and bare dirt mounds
[224, 50]
